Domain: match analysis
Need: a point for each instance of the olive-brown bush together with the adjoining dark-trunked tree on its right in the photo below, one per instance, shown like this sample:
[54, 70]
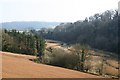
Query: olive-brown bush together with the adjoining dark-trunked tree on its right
[74, 59]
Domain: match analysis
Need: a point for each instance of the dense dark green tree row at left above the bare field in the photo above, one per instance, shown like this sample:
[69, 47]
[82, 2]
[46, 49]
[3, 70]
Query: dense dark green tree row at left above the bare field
[25, 43]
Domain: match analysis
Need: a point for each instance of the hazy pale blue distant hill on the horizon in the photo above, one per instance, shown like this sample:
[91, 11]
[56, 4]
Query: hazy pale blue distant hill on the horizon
[23, 25]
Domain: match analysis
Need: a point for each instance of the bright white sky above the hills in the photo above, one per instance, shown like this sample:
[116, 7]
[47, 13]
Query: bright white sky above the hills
[52, 10]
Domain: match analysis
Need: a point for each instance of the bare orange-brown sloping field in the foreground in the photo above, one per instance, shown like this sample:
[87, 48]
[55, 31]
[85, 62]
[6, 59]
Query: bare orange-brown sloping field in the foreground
[19, 66]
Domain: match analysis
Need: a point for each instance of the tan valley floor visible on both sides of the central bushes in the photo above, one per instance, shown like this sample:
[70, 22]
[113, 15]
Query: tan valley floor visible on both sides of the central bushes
[96, 62]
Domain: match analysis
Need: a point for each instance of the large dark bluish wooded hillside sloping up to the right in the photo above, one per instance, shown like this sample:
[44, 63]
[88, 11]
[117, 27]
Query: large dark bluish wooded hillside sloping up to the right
[99, 31]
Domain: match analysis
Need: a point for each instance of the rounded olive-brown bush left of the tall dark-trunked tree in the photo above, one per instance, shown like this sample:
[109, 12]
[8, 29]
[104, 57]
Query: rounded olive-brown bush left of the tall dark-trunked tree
[61, 58]
